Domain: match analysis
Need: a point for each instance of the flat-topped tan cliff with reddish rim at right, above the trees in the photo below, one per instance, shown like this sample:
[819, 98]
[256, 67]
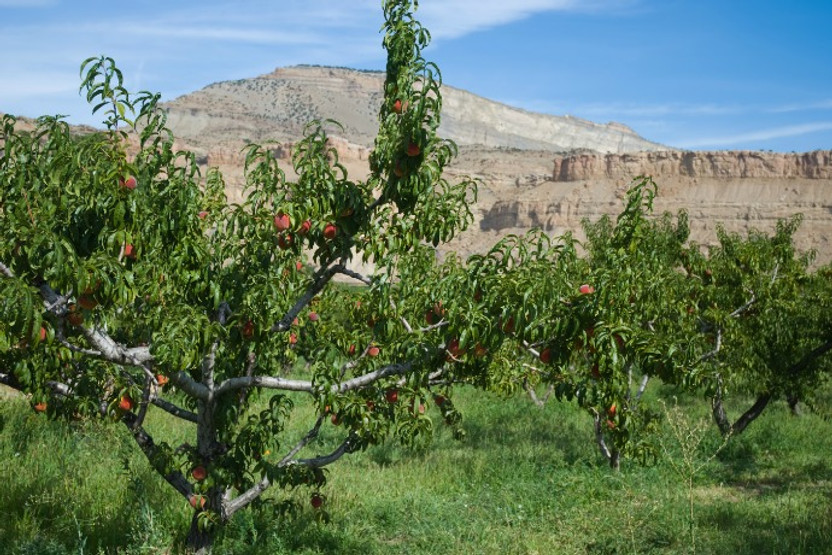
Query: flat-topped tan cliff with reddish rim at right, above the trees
[737, 190]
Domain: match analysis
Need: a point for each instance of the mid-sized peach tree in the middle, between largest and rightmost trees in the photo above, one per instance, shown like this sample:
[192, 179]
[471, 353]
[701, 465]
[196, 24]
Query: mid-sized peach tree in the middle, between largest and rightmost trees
[595, 328]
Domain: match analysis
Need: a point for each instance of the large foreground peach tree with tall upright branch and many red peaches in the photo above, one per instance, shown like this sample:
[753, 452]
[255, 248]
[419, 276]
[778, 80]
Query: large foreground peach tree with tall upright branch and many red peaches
[128, 285]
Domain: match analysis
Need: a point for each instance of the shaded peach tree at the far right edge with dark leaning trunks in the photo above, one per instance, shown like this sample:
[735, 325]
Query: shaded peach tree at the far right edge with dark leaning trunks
[765, 316]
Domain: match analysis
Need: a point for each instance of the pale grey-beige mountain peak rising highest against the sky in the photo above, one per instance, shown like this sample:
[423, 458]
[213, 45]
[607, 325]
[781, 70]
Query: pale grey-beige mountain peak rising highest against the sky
[278, 106]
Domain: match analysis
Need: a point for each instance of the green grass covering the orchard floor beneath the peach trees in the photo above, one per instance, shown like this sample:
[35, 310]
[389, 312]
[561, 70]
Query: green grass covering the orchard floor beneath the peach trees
[524, 480]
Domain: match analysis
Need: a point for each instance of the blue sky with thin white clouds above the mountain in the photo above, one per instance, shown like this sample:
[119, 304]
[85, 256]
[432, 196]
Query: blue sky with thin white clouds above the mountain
[697, 74]
